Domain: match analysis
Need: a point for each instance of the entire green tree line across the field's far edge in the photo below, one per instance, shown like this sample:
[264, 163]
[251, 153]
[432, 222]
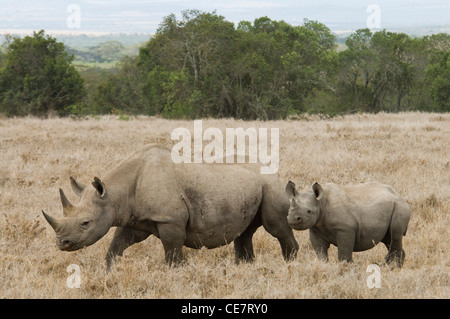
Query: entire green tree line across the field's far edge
[204, 66]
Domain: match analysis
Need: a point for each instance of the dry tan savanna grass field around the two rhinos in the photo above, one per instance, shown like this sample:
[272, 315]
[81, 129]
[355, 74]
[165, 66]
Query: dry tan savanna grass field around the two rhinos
[409, 151]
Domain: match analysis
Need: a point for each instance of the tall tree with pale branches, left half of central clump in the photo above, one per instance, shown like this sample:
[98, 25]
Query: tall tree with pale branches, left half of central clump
[186, 63]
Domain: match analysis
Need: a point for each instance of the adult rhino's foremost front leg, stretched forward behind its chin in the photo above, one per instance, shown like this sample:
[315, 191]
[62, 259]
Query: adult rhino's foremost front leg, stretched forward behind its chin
[123, 238]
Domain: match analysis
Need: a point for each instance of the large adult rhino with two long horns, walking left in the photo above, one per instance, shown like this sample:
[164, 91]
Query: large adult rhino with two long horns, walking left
[193, 205]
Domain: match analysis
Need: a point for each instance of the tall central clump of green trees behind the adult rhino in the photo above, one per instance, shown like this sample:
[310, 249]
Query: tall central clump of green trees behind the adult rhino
[202, 66]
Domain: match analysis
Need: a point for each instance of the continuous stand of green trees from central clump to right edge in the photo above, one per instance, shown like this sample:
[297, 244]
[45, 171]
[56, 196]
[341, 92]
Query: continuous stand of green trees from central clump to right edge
[204, 66]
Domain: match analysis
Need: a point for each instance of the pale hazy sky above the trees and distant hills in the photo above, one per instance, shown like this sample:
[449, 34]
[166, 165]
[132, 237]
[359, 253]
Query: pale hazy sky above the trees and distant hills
[143, 16]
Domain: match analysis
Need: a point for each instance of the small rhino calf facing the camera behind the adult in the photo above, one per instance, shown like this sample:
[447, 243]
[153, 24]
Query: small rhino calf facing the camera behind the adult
[353, 218]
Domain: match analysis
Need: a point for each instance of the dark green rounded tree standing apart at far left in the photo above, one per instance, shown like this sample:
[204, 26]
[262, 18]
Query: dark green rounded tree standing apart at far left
[38, 77]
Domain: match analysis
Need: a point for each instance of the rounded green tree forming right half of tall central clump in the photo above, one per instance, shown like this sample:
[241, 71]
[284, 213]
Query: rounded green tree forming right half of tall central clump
[281, 66]
